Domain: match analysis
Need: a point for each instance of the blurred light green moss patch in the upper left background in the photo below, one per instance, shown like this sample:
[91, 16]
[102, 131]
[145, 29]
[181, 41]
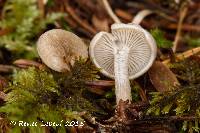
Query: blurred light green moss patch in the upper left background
[22, 17]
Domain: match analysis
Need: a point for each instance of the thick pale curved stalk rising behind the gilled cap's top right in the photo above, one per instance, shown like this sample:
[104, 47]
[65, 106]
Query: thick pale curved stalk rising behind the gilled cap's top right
[141, 15]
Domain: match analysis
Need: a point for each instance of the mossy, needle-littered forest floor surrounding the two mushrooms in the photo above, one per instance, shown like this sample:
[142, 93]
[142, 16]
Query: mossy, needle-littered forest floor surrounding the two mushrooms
[35, 98]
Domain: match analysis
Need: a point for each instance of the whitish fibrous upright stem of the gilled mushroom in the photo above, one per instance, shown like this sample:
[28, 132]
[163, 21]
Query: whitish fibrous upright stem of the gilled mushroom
[122, 83]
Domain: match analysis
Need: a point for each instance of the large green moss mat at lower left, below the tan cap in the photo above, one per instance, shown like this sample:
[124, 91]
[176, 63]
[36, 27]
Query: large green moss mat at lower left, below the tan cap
[38, 96]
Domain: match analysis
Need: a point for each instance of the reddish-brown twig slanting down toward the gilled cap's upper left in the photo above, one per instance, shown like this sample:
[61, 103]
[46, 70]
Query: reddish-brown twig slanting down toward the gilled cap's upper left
[82, 23]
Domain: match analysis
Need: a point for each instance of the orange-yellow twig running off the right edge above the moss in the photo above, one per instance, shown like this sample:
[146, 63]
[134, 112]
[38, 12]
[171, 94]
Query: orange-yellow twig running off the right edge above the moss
[184, 55]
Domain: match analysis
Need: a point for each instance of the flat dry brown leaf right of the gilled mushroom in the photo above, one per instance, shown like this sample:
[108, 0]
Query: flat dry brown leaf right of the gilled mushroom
[162, 77]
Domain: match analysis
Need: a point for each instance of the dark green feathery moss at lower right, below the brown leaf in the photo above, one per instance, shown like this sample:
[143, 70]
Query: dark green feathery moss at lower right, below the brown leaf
[183, 100]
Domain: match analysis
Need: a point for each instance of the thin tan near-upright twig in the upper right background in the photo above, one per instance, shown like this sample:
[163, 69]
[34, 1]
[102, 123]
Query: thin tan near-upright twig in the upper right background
[180, 23]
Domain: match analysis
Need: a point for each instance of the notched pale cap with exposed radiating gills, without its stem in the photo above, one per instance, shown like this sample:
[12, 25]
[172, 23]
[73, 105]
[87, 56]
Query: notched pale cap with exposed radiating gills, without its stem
[142, 51]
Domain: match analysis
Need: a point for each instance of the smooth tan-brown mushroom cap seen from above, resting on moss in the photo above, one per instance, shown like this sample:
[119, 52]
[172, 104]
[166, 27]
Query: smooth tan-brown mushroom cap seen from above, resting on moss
[59, 48]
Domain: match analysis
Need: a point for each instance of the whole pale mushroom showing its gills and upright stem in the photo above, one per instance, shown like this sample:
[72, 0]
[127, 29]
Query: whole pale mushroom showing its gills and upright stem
[125, 54]
